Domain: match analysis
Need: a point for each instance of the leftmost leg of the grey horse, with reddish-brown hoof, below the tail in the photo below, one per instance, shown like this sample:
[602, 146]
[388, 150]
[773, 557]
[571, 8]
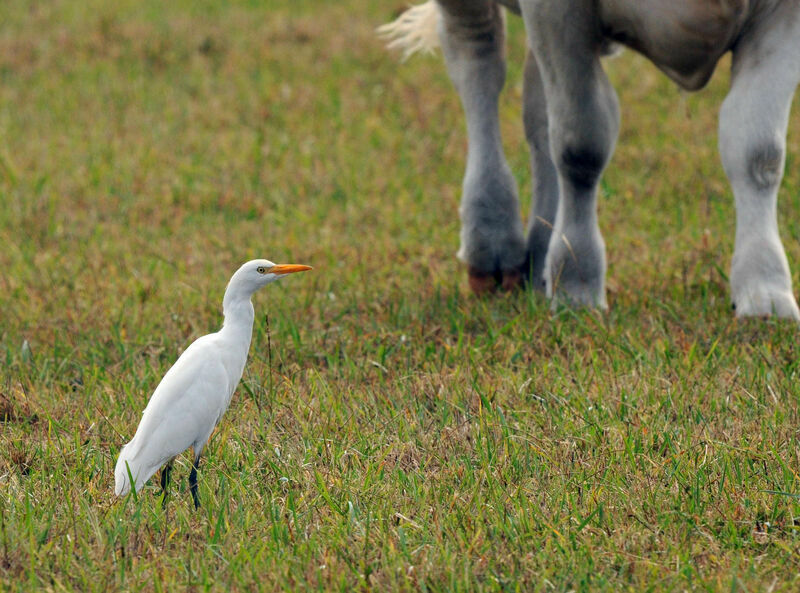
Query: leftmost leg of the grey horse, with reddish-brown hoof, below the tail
[492, 243]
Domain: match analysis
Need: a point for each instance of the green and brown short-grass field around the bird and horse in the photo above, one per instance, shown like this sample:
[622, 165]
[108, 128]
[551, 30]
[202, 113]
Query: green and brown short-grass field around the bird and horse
[391, 432]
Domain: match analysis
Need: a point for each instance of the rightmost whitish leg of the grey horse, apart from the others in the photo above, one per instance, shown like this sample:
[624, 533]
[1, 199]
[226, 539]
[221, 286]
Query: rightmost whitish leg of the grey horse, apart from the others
[752, 143]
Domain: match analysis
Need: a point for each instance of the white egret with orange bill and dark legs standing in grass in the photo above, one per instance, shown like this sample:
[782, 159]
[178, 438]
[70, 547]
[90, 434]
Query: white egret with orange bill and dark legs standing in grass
[194, 394]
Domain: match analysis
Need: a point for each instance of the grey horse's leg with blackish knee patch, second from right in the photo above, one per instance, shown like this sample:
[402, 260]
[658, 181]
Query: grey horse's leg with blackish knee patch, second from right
[583, 121]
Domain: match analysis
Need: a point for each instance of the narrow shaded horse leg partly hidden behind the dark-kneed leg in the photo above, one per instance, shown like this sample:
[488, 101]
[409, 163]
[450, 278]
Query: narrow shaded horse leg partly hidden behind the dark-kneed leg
[545, 177]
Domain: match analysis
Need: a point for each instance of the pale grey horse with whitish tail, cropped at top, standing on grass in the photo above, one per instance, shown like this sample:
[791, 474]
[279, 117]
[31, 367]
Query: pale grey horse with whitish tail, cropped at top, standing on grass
[571, 118]
